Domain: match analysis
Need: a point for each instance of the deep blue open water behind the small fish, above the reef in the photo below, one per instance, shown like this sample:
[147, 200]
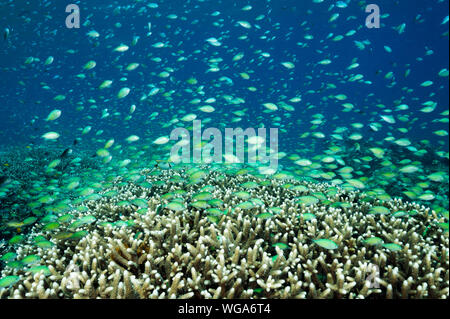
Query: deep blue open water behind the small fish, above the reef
[39, 30]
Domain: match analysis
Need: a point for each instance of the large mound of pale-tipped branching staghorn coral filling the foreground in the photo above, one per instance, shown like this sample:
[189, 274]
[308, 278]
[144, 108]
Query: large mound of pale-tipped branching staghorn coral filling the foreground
[184, 254]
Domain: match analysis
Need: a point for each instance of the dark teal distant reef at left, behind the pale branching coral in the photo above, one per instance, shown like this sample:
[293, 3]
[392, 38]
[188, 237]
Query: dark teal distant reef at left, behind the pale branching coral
[27, 173]
